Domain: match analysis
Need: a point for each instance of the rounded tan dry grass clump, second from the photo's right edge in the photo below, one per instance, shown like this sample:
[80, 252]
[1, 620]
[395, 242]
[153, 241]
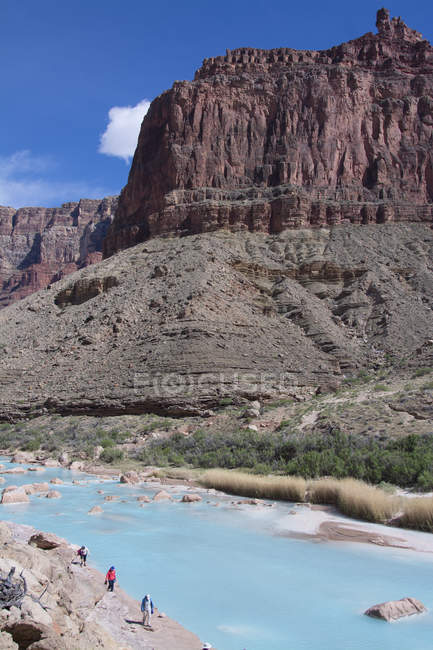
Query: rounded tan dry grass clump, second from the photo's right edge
[362, 501]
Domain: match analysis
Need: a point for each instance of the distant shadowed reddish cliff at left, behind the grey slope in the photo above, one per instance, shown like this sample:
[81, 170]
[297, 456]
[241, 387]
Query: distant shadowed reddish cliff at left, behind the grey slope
[39, 246]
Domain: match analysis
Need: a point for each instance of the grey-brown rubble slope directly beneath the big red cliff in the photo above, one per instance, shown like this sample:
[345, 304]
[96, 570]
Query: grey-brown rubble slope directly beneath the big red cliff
[176, 325]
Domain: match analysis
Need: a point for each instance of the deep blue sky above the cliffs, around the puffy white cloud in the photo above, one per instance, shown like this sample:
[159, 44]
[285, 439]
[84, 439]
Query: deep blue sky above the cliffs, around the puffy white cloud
[67, 63]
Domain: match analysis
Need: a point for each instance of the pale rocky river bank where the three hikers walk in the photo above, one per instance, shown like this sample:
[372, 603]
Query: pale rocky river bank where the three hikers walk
[75, 610]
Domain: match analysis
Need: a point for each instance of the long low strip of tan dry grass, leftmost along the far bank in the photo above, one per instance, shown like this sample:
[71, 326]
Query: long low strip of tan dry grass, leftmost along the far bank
[286, 488]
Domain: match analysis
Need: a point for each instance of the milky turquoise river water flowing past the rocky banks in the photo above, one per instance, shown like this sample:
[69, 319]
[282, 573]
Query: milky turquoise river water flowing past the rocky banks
[225, 574]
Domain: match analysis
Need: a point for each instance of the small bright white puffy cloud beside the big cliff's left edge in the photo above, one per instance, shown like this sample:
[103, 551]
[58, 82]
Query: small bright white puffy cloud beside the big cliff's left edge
[120, 137]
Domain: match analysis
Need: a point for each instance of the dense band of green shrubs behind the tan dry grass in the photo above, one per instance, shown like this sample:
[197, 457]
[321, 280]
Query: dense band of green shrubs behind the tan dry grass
[407, 461]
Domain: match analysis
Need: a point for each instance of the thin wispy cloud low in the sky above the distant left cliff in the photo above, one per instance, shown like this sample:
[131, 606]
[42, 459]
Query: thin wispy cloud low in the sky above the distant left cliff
[24, 182]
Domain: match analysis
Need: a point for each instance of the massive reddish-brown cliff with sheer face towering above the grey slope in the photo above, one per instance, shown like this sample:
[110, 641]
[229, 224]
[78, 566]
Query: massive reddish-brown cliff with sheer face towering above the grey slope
[264, 140]
